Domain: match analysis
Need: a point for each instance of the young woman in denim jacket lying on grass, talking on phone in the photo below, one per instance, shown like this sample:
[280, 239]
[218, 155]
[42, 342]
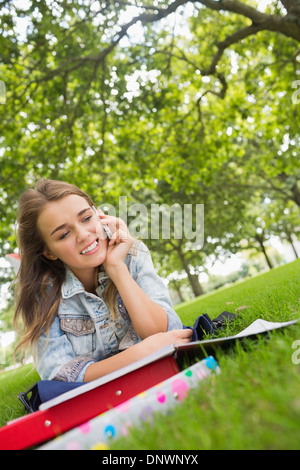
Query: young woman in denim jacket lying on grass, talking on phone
[89, 304]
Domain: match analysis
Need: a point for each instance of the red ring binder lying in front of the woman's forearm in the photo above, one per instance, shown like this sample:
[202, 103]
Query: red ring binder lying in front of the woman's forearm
[88, 401]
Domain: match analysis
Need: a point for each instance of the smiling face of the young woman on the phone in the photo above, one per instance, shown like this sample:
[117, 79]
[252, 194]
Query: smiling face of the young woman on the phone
[69, 229]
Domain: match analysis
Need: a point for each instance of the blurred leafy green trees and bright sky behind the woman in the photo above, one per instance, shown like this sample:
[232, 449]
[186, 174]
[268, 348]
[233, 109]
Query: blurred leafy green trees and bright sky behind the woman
[178, 102]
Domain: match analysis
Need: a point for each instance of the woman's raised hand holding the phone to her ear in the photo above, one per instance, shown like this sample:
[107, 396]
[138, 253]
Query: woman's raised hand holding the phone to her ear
[120, 242]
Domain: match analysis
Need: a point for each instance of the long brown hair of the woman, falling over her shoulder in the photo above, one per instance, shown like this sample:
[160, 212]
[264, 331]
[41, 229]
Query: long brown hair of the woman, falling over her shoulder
[39, 279]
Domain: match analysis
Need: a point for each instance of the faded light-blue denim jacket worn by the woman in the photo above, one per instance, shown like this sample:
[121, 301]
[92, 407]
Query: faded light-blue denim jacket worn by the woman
[84, 331]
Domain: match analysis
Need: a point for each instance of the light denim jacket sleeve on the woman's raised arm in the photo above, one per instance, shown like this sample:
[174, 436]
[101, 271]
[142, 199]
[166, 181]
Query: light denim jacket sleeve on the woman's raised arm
[144, 274]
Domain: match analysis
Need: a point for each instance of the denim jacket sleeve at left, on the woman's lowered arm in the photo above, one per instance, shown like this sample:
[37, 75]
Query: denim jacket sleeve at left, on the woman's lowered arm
[55, 359]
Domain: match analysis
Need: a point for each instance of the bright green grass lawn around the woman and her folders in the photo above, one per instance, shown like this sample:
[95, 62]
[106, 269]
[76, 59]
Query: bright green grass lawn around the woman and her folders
[253, 404]
